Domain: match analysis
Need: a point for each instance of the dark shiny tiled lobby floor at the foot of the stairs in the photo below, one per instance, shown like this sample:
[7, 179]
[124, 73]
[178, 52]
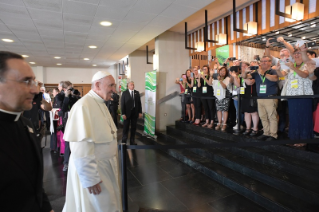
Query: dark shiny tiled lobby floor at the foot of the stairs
[156, 182]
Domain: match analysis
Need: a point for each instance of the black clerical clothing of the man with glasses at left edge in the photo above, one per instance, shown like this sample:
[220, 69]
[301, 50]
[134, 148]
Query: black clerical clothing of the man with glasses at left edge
[21, 164]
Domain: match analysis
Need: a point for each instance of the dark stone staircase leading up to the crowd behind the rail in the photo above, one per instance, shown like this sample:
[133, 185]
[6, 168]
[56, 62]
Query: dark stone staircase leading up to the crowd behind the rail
[277, 177]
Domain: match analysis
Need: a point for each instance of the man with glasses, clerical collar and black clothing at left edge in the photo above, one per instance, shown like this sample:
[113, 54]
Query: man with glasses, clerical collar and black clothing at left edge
[20, 153]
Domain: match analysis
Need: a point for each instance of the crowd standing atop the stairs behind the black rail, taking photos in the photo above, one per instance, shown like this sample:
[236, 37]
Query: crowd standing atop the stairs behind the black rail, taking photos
[210, 94]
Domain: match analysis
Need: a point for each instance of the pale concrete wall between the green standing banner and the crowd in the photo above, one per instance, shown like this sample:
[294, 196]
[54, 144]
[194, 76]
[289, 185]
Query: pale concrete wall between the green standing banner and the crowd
[173, 60]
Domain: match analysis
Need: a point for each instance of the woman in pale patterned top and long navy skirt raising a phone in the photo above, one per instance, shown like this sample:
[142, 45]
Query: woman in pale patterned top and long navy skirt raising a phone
[298, 83]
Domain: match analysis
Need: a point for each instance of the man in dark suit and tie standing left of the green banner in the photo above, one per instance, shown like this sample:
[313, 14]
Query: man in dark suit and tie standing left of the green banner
[131, 109]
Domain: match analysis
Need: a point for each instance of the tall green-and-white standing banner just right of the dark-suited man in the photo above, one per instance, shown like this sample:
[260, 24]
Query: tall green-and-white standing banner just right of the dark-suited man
[150, 103]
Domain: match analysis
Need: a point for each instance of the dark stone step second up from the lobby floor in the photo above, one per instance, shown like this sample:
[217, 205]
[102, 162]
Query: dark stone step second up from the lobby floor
[289, 183]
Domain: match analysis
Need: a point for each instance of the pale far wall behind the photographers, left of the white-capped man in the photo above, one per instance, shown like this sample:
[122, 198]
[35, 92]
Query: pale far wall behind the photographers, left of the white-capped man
[53, 75]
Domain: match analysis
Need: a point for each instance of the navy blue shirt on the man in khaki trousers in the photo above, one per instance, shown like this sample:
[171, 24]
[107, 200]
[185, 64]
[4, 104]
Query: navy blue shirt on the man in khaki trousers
[272, 87]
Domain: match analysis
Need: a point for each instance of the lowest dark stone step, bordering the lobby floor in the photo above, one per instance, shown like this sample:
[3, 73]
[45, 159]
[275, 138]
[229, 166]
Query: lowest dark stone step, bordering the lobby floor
[268, 197]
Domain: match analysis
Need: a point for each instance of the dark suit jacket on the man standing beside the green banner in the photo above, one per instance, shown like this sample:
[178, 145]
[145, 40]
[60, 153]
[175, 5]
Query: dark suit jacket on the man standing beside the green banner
[127, 103]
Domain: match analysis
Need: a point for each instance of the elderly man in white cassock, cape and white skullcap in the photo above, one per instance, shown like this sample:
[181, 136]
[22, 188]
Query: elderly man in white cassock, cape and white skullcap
[92, 182]
